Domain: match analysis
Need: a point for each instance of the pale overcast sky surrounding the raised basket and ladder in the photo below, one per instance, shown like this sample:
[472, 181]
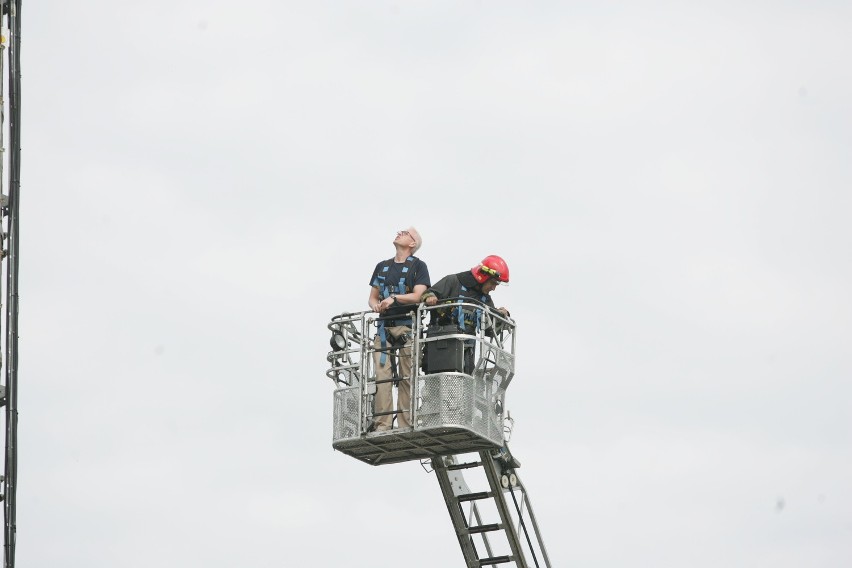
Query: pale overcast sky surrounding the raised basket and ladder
[206, 183]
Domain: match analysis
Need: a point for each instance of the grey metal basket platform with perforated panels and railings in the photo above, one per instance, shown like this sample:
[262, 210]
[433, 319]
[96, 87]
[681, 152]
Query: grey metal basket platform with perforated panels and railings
[453, 412]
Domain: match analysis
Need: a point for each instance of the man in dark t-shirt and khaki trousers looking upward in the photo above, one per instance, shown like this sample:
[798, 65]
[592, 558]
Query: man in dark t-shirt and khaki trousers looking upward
[395, 289]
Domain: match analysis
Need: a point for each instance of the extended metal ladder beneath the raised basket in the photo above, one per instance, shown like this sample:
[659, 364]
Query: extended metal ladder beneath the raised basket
[505, 530]
